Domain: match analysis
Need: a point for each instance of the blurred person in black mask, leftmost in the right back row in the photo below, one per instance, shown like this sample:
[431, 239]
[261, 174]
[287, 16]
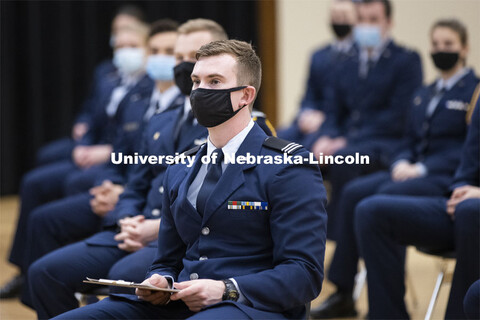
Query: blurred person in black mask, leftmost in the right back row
[323, 65]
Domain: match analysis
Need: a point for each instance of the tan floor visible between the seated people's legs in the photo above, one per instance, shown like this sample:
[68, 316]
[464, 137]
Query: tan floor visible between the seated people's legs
[422, 270]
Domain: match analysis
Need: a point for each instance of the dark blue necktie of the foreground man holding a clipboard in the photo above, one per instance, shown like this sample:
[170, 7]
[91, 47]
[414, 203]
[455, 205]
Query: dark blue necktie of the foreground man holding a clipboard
[213, 175]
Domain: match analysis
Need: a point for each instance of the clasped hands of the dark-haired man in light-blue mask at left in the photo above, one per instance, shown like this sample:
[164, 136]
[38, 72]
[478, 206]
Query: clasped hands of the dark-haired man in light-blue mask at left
[105, 197]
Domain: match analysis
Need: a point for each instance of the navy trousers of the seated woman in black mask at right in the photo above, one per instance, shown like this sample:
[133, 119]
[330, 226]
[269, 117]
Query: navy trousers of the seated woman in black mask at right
[344, 264]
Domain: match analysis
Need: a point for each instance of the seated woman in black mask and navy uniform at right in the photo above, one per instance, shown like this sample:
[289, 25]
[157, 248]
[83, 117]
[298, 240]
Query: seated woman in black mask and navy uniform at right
[426, 164]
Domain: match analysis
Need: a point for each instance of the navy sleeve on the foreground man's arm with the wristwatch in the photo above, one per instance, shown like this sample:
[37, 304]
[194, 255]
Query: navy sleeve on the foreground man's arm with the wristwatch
[298, 228]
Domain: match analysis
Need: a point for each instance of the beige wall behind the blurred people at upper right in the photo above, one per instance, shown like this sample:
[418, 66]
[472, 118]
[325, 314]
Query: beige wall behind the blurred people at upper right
[303, 25]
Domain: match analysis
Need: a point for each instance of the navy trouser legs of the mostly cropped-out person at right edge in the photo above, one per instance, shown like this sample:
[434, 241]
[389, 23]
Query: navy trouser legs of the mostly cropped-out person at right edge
[384, 224]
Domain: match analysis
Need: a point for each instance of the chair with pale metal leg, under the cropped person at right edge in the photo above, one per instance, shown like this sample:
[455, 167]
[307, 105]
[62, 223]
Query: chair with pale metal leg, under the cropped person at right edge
[445, 275]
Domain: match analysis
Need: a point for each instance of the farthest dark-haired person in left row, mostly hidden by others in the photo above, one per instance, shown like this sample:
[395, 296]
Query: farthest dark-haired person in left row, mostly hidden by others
[61, 149]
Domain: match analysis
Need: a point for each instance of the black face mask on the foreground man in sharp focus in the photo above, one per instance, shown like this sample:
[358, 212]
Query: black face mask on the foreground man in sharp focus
[212, 107]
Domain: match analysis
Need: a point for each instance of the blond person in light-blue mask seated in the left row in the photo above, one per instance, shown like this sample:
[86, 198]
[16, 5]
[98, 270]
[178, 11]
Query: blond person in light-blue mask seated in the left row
[45, 184]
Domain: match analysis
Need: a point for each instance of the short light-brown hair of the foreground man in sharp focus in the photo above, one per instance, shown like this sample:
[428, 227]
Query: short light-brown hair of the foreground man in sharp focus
[249, 67]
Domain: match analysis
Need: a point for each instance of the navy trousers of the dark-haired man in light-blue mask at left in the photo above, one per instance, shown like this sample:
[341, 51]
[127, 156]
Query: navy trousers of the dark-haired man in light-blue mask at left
[56, 224]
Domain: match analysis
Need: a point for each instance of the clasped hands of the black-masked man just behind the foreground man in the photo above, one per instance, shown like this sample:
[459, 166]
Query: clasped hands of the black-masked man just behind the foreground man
[137, 232]
